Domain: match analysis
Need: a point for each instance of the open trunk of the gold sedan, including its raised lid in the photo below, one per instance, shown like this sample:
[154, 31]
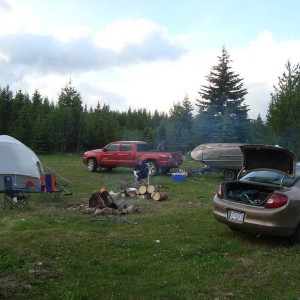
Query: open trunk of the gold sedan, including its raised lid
[261, 158]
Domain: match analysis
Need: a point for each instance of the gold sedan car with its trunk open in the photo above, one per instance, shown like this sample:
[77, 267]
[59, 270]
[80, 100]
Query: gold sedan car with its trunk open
[267, 199]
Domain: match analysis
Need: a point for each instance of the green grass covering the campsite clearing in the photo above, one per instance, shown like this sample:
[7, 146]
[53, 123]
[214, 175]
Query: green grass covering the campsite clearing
[177, 250]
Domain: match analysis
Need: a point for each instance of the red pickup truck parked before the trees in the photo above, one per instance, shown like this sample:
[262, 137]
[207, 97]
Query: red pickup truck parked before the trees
[126, 154]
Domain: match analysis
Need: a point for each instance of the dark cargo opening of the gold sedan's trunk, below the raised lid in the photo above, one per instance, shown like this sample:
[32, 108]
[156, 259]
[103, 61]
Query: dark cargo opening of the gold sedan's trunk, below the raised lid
[247, 193]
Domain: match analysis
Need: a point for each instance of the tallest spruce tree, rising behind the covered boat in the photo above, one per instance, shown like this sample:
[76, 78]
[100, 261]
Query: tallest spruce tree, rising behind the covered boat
[223, 115]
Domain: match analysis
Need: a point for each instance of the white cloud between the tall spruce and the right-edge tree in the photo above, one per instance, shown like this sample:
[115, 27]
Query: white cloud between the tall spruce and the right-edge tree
[260, 64]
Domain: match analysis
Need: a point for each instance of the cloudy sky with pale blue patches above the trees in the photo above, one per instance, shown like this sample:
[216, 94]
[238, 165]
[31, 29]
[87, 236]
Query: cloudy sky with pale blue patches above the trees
[145, 53]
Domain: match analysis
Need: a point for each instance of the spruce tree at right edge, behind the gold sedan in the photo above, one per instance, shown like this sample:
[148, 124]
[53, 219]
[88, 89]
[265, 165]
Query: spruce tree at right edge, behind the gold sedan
[284, 109]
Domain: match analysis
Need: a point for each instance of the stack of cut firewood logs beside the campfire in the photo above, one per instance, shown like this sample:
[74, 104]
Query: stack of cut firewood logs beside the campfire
[142, 190]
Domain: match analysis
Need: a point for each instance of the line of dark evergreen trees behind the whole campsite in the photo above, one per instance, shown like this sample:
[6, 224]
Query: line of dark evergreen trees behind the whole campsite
[221, 115]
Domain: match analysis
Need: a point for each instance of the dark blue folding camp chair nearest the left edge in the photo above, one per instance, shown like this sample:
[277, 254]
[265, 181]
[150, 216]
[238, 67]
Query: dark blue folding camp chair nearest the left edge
[14, 198]
